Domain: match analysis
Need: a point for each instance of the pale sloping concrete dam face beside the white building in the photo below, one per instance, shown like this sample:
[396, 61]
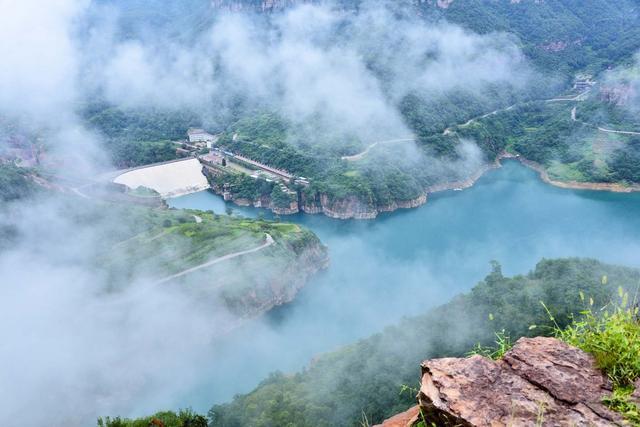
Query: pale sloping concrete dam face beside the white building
[169, 179]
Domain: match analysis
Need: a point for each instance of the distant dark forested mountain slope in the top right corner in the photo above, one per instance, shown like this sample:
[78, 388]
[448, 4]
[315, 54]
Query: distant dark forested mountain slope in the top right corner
[559, 35]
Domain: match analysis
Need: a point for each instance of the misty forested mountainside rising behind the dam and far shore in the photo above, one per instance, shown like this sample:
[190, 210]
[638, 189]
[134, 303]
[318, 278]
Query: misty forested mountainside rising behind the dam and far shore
[559, 39]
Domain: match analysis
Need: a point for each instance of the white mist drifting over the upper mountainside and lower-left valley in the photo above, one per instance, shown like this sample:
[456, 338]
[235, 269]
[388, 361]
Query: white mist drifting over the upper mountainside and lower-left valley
[73, 348]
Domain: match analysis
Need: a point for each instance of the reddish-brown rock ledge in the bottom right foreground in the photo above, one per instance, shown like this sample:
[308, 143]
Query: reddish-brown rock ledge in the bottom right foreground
[539, 382]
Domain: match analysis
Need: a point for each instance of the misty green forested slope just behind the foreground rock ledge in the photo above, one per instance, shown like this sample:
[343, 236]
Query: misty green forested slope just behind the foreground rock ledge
[366, 377]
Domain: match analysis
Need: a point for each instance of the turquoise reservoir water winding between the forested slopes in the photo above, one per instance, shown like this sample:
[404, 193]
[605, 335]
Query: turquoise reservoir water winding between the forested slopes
[405, 262]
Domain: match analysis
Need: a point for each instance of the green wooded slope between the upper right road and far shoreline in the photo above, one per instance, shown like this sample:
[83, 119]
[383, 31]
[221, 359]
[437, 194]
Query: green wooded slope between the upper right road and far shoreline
[569, 150]
